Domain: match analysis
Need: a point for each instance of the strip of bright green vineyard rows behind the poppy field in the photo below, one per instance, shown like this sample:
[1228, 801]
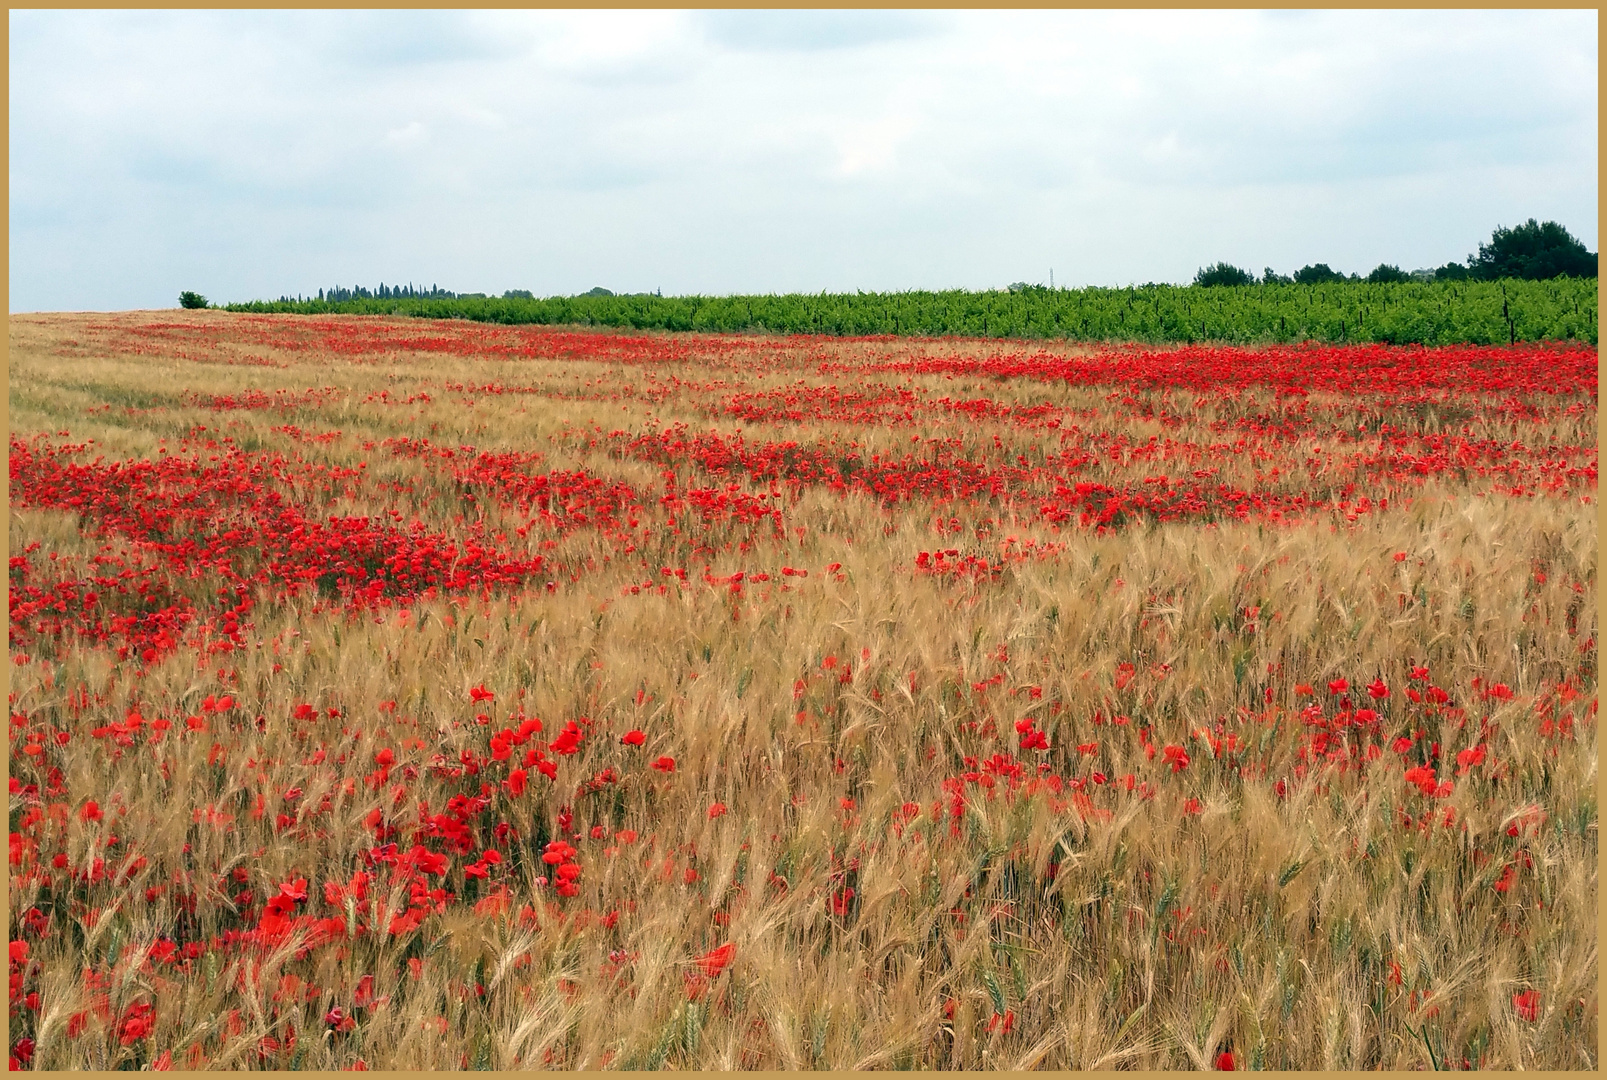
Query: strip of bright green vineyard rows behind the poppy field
[1339, 313]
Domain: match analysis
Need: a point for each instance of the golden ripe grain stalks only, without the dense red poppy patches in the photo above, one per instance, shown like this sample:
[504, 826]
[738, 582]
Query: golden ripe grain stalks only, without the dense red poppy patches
[1298, 931]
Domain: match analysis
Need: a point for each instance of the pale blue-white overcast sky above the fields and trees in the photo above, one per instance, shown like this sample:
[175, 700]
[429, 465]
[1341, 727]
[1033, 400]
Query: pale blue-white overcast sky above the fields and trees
[255, 153]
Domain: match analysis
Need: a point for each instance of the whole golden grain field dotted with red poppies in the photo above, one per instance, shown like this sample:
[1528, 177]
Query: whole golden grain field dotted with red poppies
[440, 695]
